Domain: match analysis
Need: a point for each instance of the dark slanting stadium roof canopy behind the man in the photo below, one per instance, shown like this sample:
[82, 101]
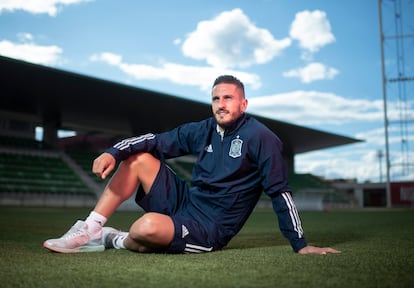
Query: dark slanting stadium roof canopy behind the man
[90, 105]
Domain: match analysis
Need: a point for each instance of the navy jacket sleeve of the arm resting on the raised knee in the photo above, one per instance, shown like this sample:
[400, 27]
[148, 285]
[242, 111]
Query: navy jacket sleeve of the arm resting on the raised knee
[180, 141]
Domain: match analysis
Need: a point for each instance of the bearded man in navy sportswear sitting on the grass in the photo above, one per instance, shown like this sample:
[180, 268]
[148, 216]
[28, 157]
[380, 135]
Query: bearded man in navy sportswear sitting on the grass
[238, 159]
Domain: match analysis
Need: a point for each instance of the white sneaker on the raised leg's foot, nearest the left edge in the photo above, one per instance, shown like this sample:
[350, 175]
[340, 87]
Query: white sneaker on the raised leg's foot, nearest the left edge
[76, 240]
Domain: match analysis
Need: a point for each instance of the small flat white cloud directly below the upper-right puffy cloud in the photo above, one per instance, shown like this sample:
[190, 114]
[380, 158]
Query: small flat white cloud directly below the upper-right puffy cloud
[312, 72]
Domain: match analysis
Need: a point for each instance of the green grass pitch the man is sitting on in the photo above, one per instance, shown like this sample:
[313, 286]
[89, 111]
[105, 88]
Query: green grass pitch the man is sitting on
[377, 245]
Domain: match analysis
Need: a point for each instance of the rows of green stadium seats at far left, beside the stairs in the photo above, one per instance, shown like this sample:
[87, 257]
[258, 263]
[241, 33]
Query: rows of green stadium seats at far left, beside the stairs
[30, 172]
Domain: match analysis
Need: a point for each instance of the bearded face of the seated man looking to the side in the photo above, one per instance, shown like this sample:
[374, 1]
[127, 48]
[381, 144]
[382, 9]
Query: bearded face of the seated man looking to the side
[228, 103]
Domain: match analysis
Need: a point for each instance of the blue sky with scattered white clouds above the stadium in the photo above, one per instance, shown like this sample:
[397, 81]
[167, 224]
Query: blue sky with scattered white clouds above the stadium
[312, 63]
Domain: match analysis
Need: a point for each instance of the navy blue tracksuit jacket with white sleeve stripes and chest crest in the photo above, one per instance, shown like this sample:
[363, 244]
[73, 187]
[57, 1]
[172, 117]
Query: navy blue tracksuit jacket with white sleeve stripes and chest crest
[231, 171]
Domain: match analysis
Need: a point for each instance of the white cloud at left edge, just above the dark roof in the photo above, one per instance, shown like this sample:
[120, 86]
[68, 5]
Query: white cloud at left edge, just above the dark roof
[31, 52]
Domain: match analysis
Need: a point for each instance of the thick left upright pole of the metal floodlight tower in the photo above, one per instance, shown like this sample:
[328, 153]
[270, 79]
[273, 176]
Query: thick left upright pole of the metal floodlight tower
[384, 96]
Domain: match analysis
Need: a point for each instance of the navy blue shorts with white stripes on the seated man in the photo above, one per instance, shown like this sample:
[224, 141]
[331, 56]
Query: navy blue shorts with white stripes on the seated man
[169, 195]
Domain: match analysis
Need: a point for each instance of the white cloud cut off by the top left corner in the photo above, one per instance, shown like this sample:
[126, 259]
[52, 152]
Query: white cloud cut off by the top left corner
[50, 7]
